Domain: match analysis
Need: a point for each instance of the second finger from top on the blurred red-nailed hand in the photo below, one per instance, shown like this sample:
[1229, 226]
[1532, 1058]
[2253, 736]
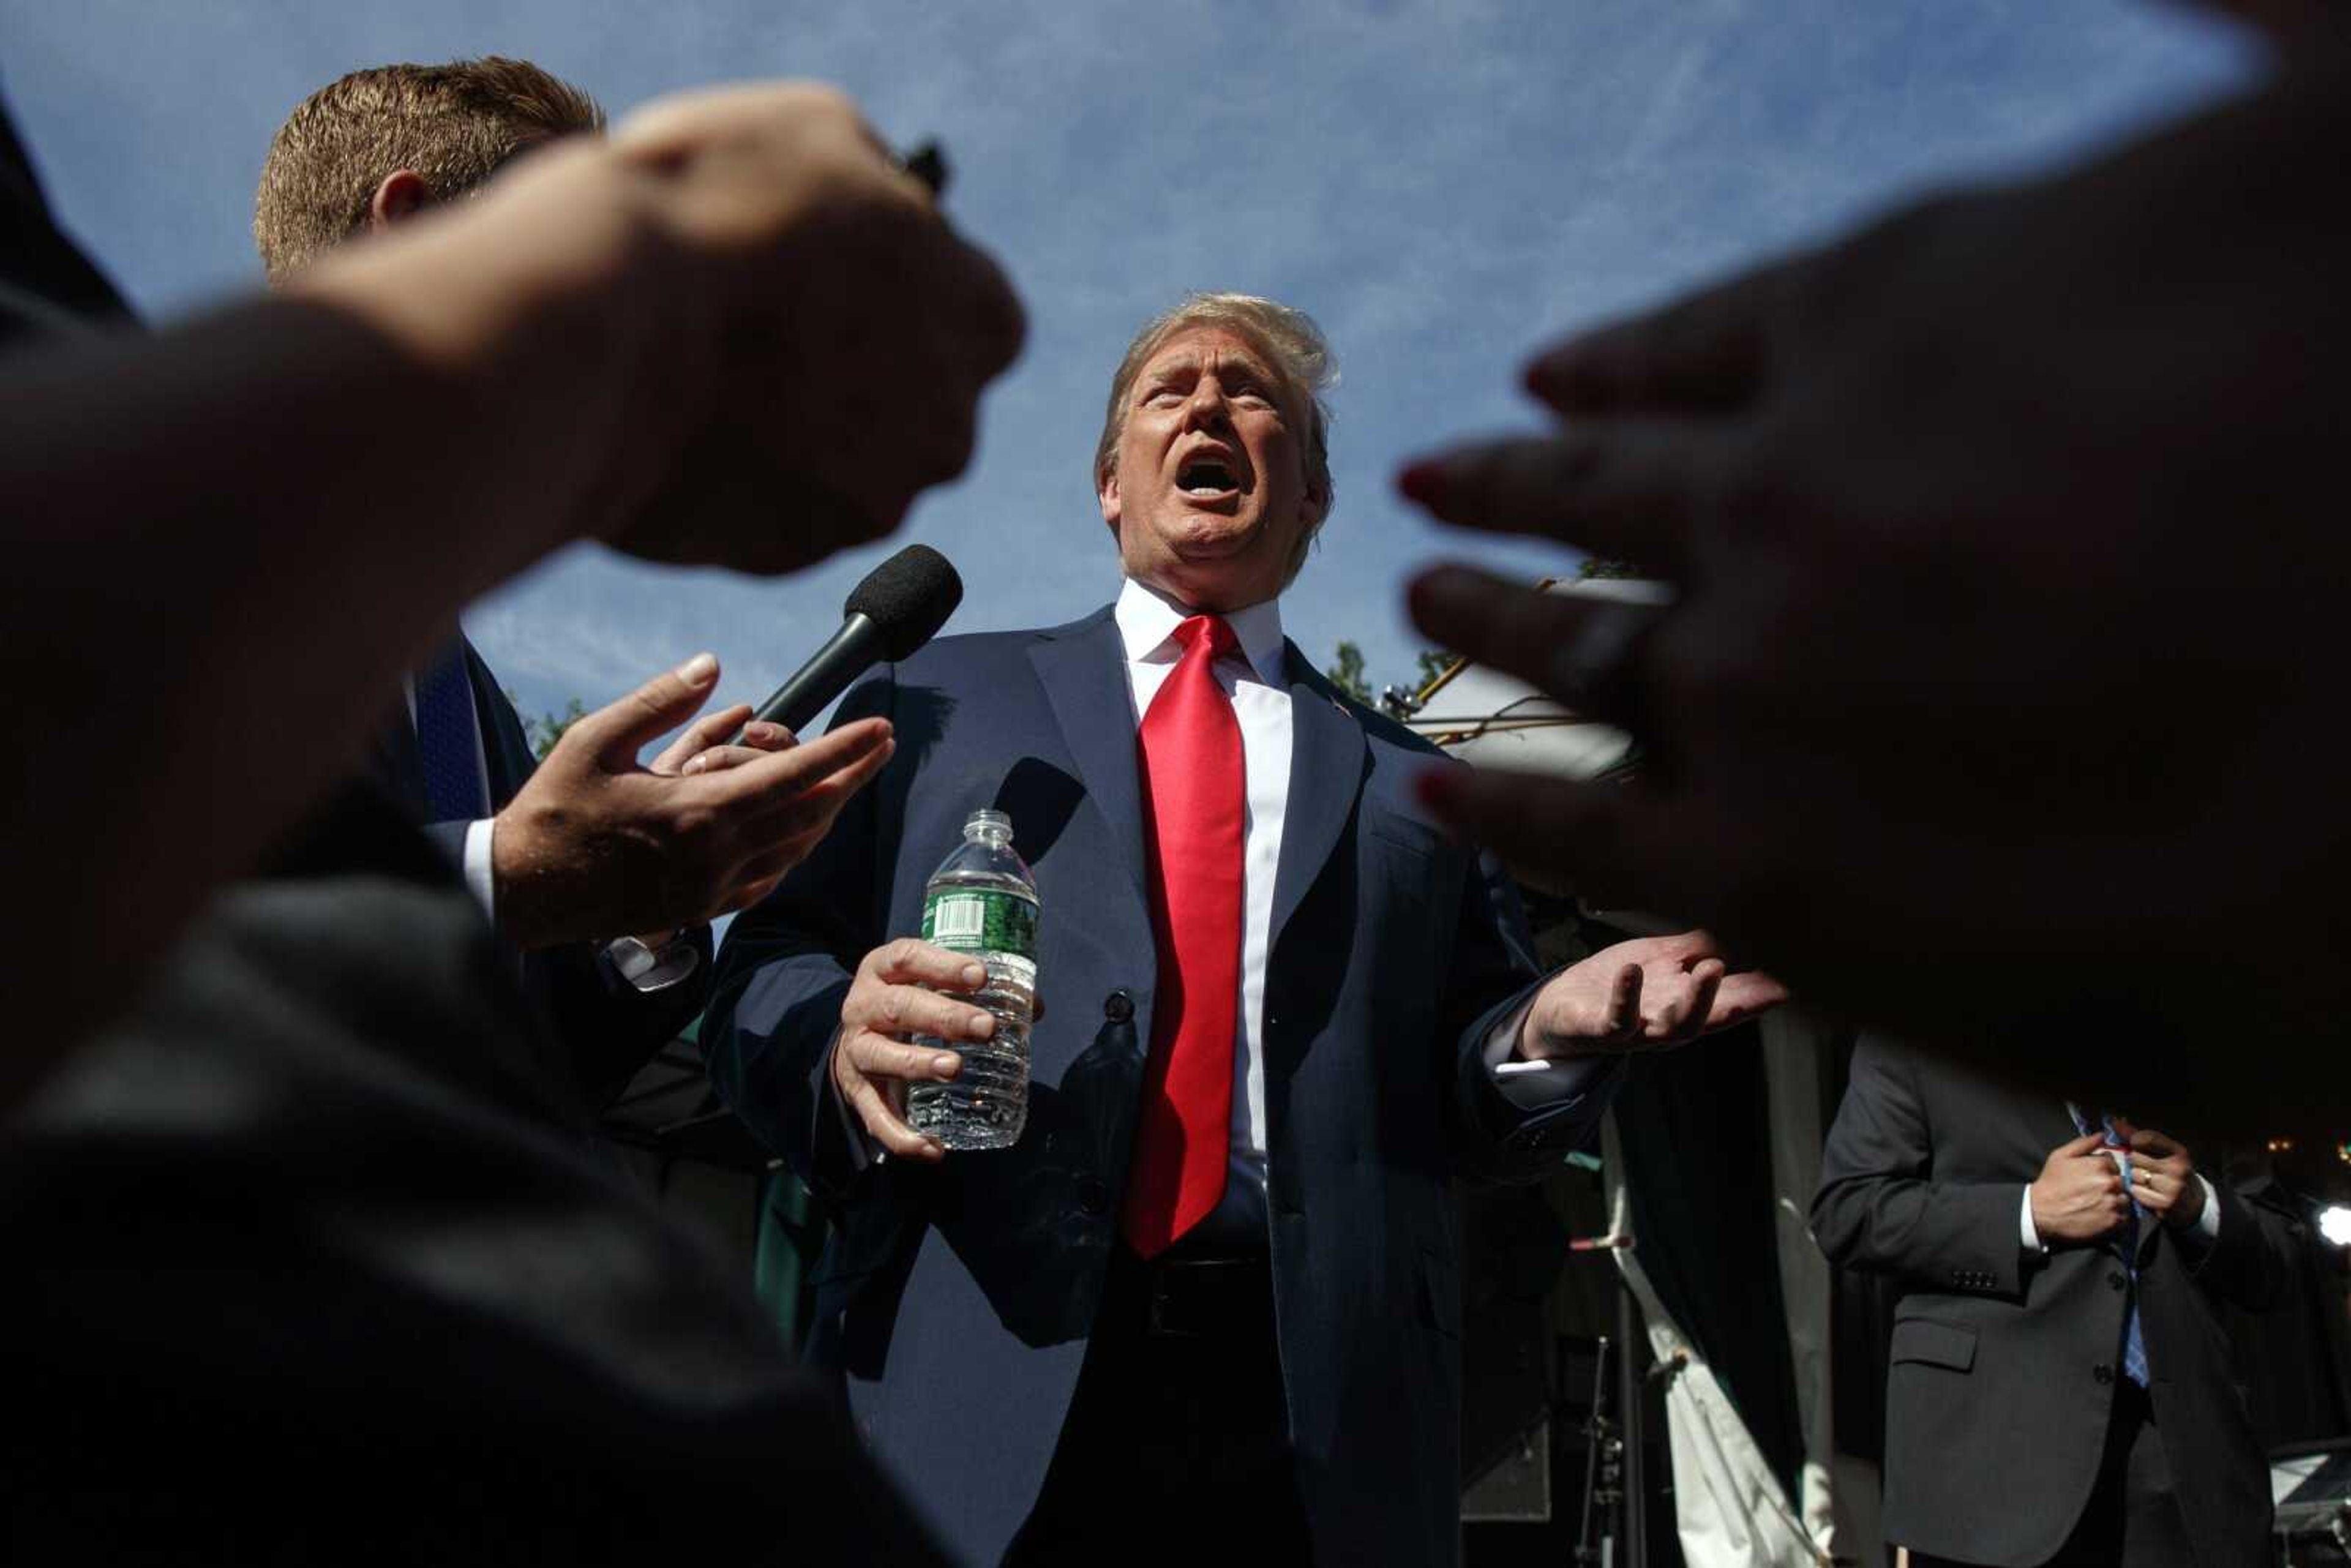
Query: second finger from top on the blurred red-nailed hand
[1623, 490]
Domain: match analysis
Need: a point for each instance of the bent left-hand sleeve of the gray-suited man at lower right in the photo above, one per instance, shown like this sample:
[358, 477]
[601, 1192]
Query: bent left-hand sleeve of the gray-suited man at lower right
[1880, 1205]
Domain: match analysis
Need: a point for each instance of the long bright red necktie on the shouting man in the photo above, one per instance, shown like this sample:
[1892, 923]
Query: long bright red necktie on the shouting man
[1195, 803]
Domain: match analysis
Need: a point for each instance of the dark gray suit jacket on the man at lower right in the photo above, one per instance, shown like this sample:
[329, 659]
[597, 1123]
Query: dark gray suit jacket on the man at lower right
[2004, 1362]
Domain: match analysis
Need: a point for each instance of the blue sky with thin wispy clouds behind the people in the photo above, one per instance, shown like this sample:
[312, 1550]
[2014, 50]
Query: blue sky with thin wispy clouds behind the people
[1445, 187]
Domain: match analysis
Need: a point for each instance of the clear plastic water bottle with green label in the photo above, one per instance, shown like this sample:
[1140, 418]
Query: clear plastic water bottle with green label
[984, 902]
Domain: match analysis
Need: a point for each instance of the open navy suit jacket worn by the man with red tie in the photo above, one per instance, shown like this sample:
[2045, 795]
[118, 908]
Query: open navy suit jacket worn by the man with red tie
[958, 1299]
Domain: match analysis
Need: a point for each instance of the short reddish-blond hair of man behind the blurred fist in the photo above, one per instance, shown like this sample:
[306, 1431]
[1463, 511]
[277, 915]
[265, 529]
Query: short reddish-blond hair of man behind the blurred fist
[455, 126]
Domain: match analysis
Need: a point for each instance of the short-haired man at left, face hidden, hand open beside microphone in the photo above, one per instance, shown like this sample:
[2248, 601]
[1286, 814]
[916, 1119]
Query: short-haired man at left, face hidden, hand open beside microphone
[615, 949]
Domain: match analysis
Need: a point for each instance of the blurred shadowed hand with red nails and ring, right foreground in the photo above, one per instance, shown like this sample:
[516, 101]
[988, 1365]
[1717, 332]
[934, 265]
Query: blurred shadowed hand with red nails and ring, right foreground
[2002, 692]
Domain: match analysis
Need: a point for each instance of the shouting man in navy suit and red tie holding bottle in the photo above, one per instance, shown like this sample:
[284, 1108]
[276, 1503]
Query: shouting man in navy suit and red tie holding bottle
[1210, 1301]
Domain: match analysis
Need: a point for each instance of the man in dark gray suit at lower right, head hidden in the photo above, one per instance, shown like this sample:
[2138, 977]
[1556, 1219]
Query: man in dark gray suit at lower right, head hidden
[2061, 1386]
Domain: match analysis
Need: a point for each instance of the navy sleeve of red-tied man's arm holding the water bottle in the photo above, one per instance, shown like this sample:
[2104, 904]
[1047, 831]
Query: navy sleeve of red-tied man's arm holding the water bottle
[782, 977]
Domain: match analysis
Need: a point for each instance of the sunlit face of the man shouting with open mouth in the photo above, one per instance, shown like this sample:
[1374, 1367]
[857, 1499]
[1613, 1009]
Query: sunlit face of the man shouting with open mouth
[1210, 481]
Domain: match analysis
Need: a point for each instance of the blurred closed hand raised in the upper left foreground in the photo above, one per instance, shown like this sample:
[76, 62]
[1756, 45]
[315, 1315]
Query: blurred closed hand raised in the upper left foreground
[777, 342]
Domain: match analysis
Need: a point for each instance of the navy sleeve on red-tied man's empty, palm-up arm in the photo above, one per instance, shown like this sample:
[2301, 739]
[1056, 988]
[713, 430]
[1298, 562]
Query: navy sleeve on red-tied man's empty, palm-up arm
[1496, 974]
